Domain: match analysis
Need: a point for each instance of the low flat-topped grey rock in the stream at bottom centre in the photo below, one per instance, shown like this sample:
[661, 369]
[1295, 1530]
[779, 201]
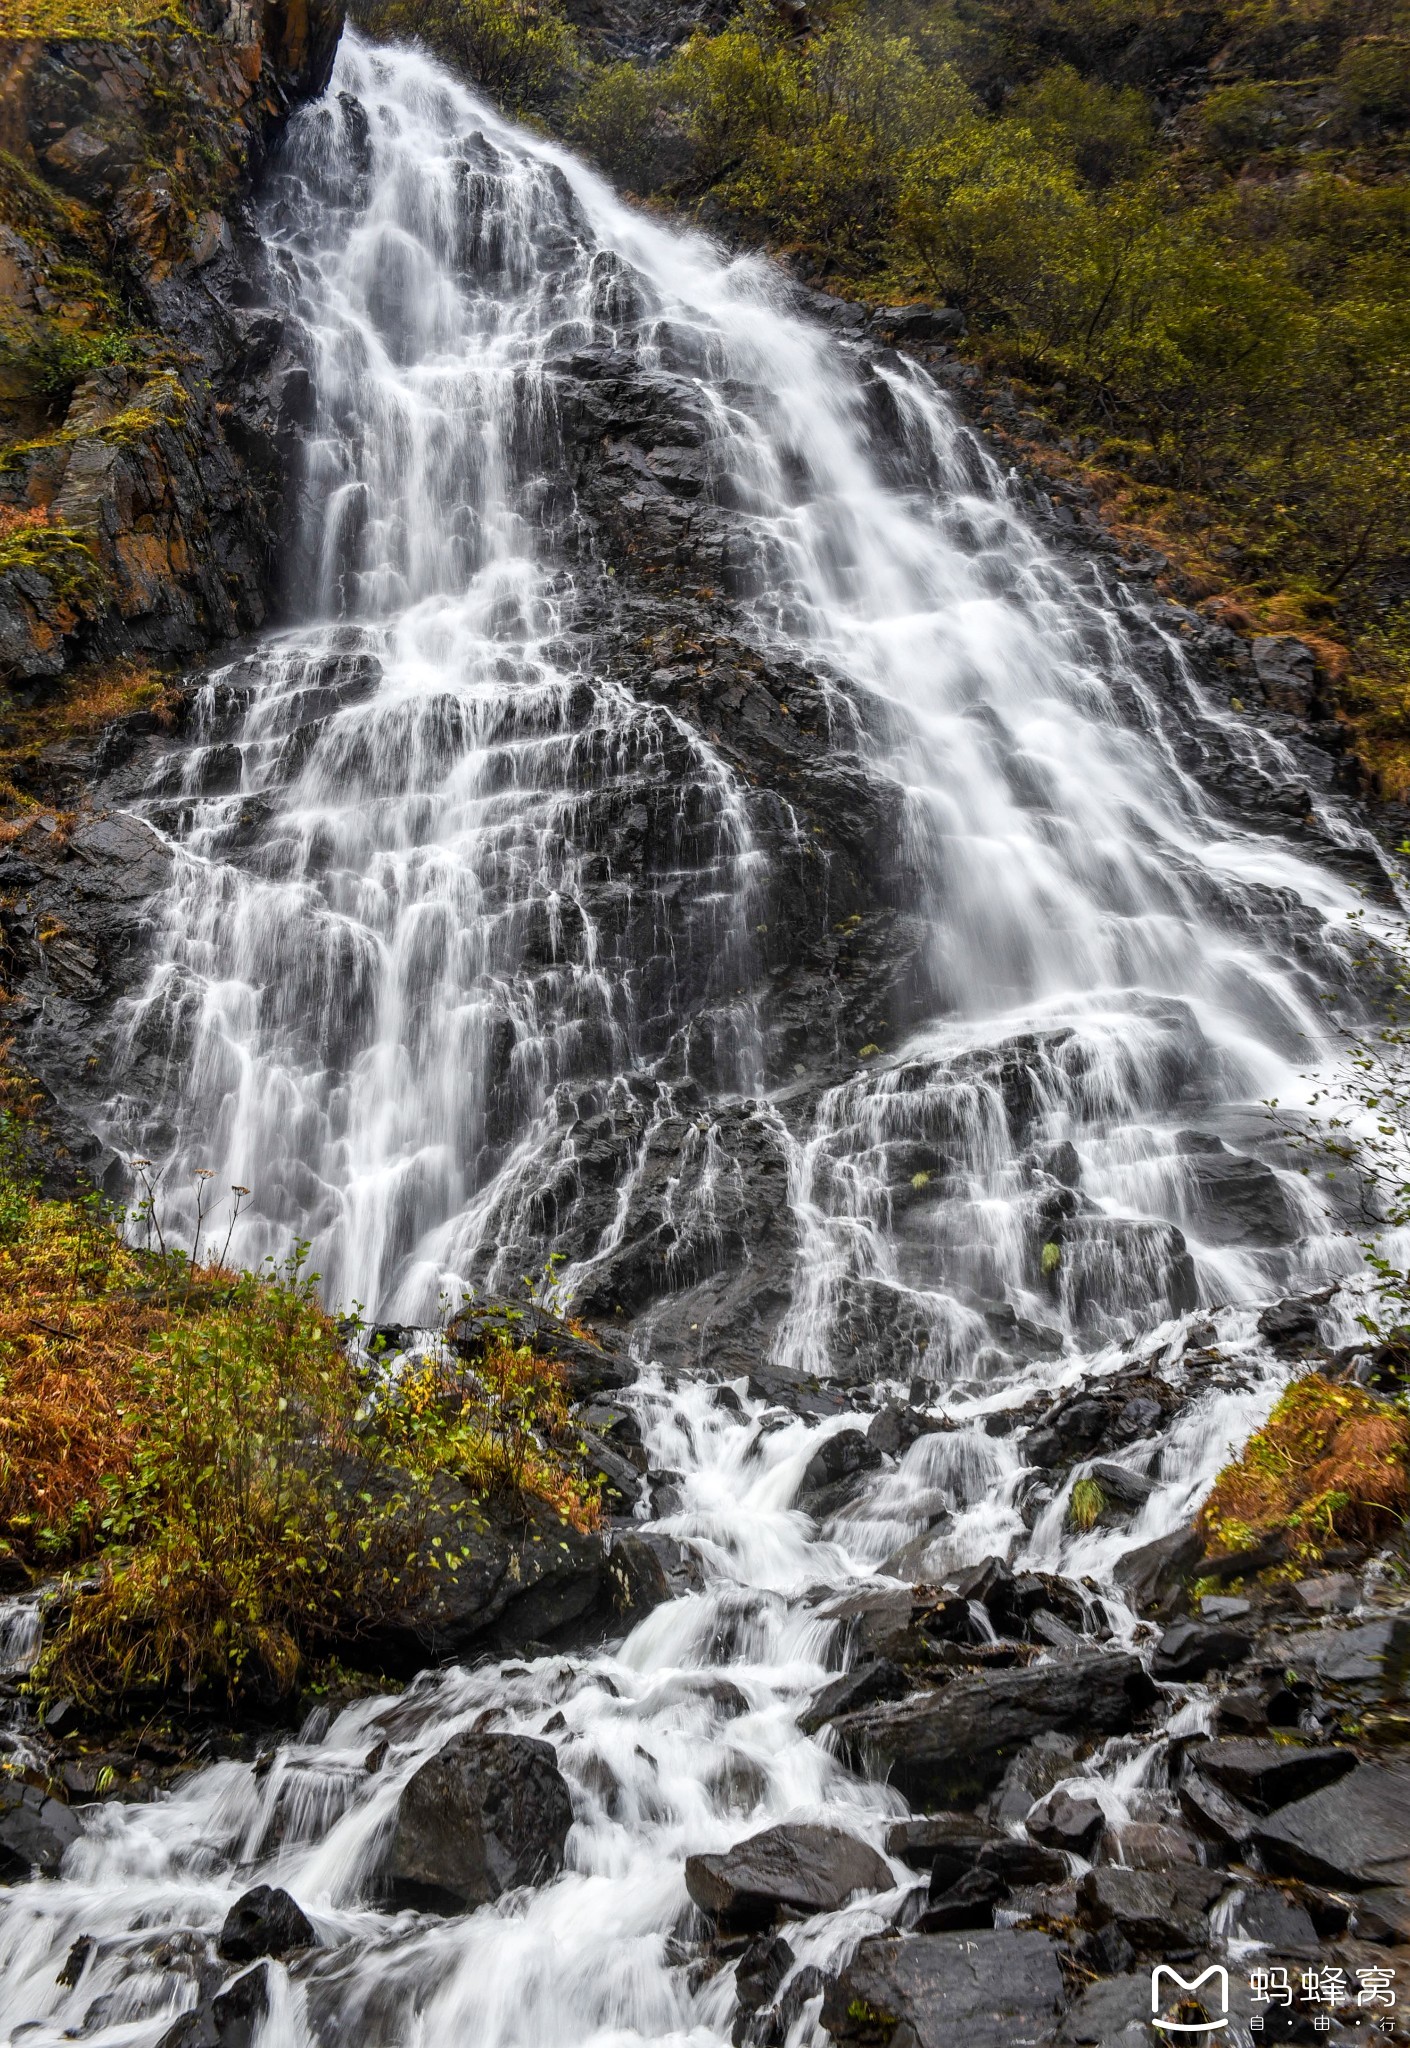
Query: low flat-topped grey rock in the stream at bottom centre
[800, 1867]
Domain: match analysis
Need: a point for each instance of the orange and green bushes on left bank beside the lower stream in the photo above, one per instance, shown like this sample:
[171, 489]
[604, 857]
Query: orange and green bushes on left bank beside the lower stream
[251, 1488]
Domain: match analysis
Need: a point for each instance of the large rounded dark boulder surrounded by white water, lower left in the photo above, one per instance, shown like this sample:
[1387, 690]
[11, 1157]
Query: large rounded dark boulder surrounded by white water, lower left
[485, 1816]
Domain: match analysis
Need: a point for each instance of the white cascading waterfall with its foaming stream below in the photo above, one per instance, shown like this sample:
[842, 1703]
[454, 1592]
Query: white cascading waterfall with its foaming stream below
[458, 910]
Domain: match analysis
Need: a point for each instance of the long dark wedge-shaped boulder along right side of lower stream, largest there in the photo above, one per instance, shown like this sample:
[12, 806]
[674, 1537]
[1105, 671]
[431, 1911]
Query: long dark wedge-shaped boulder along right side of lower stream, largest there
[948, 1748]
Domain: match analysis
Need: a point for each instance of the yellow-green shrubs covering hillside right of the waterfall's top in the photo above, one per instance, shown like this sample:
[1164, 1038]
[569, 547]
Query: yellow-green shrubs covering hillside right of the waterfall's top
[1179, 232]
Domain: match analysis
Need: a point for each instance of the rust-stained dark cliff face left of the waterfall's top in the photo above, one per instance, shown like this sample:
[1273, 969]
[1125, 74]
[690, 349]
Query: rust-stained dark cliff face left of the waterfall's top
[171, 480]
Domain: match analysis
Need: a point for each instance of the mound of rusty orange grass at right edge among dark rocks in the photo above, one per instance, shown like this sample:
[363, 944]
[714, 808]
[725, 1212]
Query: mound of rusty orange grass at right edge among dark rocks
[1329, 1465]
